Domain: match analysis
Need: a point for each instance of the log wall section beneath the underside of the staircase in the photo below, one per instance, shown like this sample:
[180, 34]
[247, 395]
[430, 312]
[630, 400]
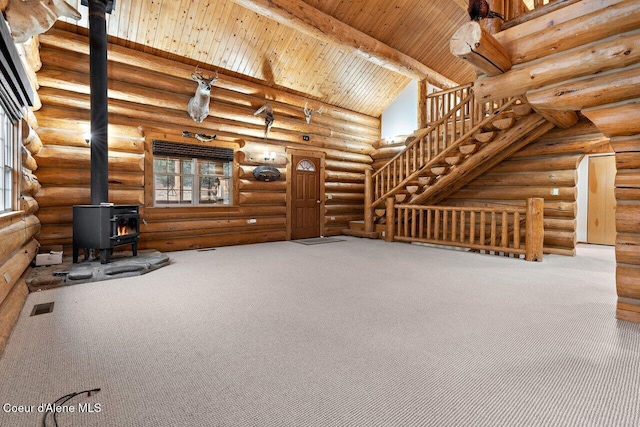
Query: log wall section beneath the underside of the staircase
[542, 169]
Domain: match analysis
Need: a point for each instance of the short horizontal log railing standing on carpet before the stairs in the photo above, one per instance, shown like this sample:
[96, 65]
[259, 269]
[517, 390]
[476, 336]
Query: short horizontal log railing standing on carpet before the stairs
[488, 230]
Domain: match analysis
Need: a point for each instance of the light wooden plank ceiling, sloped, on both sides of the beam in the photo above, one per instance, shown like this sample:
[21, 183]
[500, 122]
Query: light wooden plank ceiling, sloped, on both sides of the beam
[219, 34]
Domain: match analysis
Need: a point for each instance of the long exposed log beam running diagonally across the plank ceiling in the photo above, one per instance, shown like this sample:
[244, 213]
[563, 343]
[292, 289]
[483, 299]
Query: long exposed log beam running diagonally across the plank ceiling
[300, 16]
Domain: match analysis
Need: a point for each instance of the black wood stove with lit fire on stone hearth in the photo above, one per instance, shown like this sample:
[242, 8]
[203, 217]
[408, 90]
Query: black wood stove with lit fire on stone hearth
[104, 227]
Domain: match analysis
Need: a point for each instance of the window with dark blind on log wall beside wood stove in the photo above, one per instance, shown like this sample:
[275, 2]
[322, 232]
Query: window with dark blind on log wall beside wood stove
[192, 175]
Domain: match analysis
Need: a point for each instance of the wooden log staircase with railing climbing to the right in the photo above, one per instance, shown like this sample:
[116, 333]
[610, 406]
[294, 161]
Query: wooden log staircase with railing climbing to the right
[463, 143]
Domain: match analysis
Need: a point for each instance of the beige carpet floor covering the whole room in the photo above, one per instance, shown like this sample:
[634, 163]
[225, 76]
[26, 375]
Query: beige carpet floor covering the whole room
[355, 333]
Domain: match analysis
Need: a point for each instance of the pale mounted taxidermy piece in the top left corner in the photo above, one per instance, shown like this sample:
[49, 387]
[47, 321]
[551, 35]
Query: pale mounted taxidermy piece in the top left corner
[30, 17]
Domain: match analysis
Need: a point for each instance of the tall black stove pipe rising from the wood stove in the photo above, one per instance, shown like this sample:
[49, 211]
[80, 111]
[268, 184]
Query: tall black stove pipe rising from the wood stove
[99, 102]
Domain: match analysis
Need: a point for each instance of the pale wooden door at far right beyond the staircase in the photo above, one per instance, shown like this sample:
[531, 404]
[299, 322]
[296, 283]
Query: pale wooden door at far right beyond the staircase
[601, 214]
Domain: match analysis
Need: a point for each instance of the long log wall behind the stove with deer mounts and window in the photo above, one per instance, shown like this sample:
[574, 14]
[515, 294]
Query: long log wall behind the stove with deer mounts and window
[147, 99]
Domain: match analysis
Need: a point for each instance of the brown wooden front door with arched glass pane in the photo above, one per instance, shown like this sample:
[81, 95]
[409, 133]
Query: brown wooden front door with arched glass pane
[305, 197]
